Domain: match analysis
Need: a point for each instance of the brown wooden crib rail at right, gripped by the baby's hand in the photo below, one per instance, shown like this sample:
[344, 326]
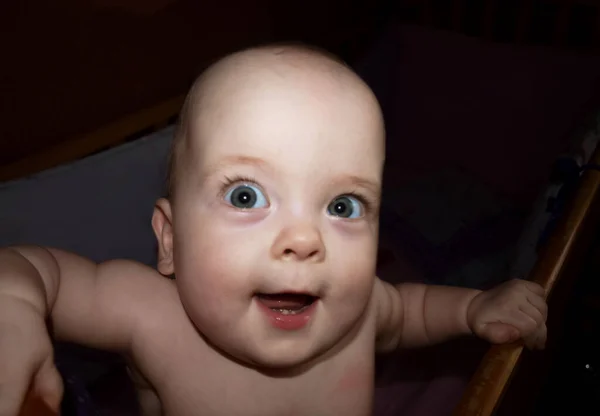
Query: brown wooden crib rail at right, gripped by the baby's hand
[485, 390]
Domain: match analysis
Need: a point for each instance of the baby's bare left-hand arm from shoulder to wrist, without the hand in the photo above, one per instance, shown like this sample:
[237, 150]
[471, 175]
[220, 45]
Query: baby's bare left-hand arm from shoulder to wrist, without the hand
[87, 303]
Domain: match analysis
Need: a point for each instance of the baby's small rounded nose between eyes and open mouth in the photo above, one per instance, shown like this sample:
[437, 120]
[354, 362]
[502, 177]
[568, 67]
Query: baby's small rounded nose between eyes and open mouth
[301, 242]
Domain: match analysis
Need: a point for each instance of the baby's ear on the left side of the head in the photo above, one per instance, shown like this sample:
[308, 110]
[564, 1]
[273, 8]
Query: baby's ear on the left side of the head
[163, 229]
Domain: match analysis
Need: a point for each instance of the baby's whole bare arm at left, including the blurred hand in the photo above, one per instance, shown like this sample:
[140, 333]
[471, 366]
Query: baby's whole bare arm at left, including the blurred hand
[89, 304]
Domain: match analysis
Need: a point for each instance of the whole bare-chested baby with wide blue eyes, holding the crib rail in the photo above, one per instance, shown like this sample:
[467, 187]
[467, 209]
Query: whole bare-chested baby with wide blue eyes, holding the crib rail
[270, 231]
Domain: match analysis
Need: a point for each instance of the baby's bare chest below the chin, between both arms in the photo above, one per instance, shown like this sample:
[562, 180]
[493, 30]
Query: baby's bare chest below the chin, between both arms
[190, 378]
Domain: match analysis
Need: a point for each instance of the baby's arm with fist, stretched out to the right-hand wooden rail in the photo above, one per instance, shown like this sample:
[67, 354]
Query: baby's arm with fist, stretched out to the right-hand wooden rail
[413, 315]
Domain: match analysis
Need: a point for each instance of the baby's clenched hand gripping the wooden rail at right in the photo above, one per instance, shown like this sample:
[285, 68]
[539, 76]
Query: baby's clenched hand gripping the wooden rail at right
[511, 311]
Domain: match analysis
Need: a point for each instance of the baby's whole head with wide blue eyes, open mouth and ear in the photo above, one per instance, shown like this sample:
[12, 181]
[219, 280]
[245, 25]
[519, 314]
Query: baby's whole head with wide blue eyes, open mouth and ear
[272, 221]
